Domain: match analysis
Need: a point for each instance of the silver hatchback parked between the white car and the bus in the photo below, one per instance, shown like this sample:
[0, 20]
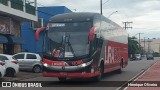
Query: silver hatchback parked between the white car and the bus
[29, 61]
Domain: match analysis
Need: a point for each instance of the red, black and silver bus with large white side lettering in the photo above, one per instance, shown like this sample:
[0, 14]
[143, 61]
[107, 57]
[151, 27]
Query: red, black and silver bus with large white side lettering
[84, 45]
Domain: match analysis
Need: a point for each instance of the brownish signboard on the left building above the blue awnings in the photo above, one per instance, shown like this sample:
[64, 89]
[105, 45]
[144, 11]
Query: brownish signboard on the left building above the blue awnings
[6, 25]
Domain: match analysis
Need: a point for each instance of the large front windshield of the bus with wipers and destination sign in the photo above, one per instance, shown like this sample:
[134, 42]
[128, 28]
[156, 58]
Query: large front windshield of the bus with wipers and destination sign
[69, 40]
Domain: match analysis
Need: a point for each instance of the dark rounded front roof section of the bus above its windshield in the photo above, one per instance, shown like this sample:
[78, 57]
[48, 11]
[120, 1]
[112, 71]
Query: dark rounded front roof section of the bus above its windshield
[73, 17]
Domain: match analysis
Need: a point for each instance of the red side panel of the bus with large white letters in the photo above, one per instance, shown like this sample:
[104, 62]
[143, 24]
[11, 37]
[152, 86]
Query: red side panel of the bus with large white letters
[114, 53]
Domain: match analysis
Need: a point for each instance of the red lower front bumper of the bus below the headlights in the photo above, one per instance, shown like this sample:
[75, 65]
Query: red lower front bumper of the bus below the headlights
[70, 74]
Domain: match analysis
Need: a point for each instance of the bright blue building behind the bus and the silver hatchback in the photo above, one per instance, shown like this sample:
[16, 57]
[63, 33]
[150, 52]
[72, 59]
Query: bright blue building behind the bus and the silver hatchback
[28, 29]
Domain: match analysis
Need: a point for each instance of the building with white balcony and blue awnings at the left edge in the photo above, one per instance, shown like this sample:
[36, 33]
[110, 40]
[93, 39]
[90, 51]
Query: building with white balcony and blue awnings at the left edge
[12, 14]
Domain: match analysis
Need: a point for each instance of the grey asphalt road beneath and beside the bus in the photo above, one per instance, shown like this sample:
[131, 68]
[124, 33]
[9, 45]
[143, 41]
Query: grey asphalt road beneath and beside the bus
[133, 68]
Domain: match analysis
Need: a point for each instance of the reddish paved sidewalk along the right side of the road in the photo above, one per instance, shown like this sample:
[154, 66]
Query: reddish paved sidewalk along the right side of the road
[152, 74]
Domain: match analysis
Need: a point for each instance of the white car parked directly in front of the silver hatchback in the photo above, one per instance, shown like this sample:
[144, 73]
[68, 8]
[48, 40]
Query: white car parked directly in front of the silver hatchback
[11, 65]
